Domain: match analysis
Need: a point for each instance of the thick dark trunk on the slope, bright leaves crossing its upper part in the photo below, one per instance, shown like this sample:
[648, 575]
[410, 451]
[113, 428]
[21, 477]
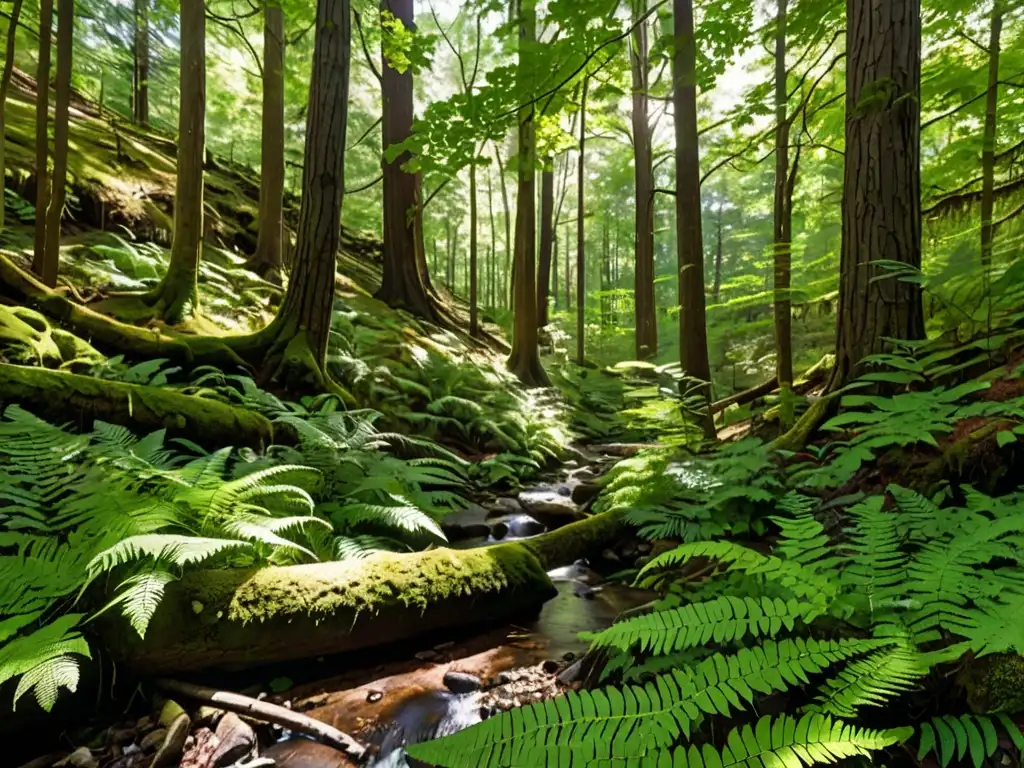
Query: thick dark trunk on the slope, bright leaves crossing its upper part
[407, 280]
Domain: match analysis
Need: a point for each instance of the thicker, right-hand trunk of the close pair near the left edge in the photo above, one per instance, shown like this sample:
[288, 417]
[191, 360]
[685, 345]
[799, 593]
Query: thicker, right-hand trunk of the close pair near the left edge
[55, 211]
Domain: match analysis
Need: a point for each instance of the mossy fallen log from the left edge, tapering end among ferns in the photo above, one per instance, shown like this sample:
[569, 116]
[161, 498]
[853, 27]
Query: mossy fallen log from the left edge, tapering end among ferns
[60, 397]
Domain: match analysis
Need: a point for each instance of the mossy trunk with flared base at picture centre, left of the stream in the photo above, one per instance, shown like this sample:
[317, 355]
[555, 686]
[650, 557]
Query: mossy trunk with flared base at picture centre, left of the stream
[525, 361]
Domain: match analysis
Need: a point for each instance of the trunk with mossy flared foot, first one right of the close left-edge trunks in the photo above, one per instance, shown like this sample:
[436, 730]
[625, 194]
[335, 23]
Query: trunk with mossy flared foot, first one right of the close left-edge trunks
[177, 298]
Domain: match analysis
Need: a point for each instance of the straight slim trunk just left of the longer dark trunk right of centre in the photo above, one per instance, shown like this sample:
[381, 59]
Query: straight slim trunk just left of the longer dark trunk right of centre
[645, 303]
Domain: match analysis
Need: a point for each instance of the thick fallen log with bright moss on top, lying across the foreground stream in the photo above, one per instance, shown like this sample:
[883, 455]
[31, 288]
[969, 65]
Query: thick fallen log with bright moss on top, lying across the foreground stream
[236, 619]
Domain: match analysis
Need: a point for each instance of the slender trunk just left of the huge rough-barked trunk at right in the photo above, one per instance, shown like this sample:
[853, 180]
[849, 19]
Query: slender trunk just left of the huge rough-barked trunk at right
[783, 216]
